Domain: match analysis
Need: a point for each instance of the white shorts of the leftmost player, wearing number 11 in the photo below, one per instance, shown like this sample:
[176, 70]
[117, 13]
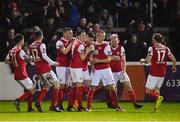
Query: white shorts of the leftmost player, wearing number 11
[26, 83]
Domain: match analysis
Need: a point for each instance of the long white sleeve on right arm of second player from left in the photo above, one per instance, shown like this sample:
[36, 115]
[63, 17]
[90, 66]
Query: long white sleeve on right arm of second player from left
[44, 55]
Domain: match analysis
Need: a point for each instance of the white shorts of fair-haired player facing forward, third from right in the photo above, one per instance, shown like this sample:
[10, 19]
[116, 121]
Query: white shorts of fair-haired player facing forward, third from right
[104, 75]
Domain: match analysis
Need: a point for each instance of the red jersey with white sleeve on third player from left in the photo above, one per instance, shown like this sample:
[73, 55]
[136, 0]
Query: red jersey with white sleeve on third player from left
[63, 60]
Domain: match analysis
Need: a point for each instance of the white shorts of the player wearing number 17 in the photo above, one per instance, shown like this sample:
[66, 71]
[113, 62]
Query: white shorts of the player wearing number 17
[154, 82]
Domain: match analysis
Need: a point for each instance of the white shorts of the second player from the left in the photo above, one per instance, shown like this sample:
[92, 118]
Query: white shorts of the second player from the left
[50, 77]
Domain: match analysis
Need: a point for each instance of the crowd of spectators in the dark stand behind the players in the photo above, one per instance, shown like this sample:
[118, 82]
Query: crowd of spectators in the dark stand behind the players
[27, 16]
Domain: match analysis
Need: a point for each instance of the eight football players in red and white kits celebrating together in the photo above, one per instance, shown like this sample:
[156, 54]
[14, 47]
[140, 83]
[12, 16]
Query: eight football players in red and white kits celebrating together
[85, 64]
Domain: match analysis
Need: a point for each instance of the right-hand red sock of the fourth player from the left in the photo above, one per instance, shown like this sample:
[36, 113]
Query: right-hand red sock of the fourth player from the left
[79, 95]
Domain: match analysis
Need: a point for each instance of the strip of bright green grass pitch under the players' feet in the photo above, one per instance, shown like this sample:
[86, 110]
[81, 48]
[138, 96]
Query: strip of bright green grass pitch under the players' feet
[168, 112]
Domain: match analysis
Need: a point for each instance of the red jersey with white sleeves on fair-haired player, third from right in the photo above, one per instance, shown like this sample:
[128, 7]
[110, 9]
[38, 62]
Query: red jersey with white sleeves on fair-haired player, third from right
[101, 52]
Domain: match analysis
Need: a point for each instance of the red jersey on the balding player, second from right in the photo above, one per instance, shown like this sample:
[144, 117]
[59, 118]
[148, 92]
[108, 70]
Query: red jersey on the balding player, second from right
[116, 65]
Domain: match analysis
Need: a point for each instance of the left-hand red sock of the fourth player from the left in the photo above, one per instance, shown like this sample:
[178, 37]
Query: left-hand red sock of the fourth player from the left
[71, 93]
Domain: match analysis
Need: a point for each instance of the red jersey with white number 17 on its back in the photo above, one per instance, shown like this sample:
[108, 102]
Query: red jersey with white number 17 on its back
[159, 55]
